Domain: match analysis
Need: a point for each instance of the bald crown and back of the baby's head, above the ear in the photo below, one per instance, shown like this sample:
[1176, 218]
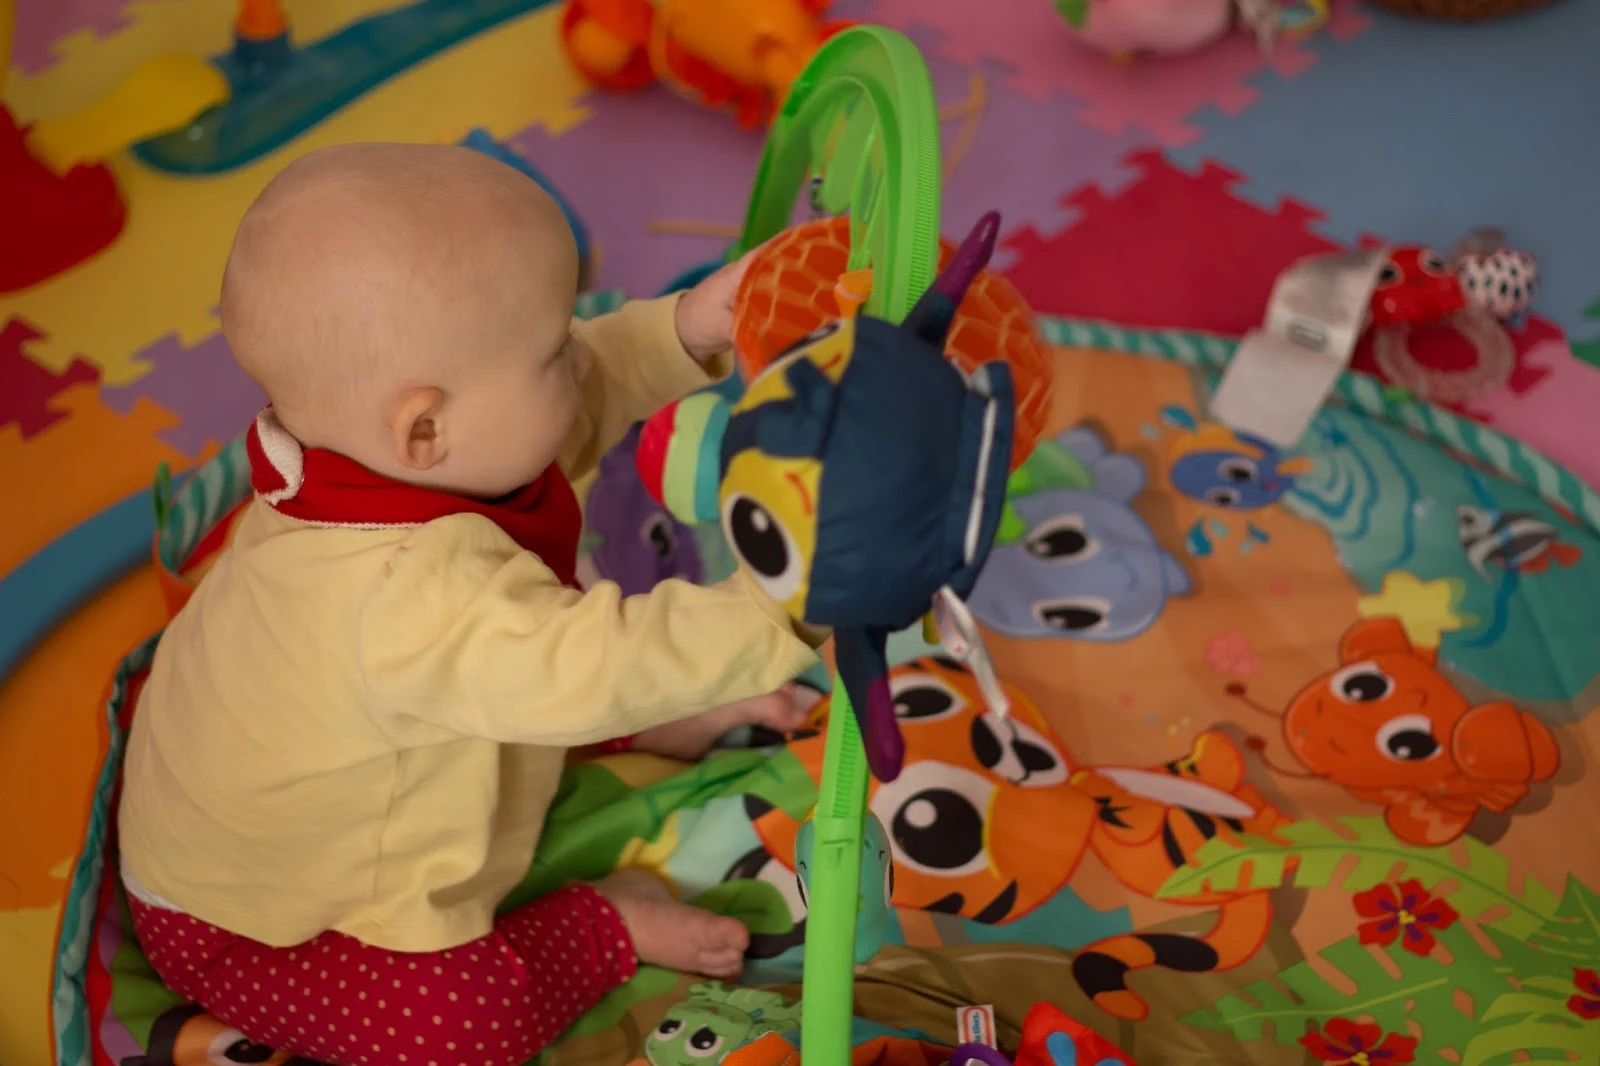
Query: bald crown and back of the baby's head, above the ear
[366, 273]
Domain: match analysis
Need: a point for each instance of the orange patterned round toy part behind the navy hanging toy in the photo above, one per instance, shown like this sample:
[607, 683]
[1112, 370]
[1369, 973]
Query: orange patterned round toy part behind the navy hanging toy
[801, 281]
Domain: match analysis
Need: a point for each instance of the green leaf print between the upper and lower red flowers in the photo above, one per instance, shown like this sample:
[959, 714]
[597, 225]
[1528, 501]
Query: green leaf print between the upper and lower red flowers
[1425, 992]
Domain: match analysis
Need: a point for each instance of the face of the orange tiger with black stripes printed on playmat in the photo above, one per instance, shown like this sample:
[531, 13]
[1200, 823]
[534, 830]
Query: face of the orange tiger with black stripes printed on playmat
[969, 788]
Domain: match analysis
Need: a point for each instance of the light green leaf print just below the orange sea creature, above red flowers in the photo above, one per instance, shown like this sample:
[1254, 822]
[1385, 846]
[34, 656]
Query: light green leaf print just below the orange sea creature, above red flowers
[1311, 854]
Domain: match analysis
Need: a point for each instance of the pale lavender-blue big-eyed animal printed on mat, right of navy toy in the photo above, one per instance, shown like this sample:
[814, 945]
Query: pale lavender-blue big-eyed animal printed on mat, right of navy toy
[1073, 558]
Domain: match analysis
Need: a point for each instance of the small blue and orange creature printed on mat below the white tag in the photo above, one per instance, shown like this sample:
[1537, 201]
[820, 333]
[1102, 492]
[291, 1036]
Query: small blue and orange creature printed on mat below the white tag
[1231, 470]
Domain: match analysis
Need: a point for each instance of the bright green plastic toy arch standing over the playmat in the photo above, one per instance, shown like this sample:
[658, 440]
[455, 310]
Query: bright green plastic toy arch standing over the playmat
[863, 119]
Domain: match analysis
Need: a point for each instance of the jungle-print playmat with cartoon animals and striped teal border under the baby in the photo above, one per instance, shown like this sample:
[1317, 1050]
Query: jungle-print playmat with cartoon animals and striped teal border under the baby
[1295, 769]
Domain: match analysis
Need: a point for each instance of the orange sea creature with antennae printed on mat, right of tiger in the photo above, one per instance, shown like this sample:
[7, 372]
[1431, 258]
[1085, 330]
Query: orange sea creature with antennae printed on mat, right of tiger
[1391, 729]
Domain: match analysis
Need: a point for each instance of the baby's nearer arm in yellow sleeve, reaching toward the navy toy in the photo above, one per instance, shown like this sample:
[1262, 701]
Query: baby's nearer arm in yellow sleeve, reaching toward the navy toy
[470, 635]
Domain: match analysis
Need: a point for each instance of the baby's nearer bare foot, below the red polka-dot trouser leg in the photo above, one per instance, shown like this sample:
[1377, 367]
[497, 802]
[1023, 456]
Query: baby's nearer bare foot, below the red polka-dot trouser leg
[671, 934]
